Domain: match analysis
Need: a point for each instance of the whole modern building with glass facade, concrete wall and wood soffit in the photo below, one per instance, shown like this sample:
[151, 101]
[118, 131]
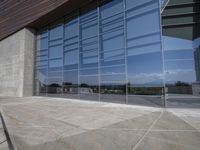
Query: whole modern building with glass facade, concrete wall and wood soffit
[142, 52]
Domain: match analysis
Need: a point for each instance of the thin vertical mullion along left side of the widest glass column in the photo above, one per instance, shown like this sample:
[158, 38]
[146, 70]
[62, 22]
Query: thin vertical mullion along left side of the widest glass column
[125, 48]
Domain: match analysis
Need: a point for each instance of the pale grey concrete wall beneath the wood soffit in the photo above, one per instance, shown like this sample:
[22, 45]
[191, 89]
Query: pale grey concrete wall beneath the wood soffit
[17, 63]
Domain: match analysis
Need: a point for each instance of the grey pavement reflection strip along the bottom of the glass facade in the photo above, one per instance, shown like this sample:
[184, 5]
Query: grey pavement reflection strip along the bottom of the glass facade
[172, 101]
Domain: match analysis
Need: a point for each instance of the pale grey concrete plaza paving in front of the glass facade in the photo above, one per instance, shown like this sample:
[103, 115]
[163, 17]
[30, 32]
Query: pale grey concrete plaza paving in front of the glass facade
[37, 123]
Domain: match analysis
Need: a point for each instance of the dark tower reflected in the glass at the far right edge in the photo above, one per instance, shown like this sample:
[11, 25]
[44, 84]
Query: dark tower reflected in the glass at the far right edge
[197, 63]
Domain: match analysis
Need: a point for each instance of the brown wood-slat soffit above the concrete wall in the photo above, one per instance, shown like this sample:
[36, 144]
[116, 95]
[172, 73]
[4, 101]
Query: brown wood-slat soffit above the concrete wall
[17, 14]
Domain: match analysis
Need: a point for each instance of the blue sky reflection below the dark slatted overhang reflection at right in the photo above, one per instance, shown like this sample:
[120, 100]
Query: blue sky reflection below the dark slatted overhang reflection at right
[179, 60]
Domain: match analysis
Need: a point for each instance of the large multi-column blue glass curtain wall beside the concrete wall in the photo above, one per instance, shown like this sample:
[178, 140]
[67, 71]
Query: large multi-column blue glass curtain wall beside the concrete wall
[109, 50]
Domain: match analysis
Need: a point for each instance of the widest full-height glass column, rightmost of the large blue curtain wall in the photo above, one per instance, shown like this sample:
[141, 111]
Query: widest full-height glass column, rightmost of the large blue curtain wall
[144, 53]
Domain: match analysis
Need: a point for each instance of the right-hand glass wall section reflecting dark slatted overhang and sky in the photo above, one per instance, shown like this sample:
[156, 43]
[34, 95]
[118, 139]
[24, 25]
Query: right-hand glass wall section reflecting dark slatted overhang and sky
[181, 42]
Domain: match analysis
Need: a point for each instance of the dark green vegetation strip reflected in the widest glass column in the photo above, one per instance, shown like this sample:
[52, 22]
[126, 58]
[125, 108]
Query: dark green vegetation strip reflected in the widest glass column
[145, 90]
